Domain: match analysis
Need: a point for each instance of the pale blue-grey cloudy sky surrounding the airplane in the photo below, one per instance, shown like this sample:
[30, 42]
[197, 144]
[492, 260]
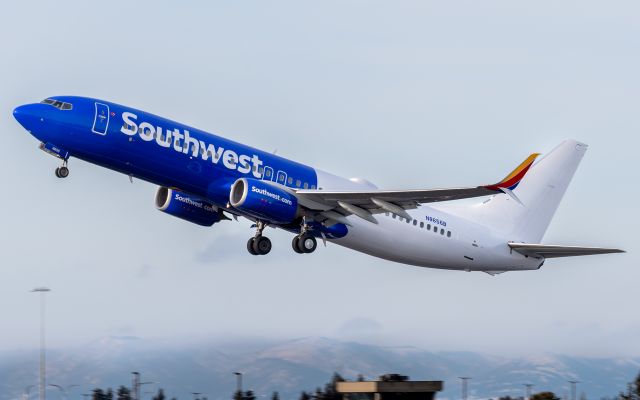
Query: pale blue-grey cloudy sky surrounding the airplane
[406, 94]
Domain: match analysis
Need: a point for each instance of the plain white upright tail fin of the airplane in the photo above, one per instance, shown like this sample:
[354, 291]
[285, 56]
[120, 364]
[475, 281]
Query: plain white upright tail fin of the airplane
[525, 215]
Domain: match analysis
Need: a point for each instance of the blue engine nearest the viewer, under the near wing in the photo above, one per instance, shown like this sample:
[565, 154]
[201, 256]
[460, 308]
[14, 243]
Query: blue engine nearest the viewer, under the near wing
[263, 201]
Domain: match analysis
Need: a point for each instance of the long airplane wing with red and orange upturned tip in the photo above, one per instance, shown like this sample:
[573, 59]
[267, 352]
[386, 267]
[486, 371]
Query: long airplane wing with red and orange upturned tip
[335, 205]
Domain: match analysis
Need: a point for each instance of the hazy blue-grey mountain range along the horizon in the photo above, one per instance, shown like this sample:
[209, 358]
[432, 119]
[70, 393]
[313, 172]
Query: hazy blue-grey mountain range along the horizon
[302, 364]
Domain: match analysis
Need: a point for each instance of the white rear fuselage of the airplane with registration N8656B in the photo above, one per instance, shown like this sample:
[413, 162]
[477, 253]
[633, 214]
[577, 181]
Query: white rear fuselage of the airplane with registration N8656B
[434, 238]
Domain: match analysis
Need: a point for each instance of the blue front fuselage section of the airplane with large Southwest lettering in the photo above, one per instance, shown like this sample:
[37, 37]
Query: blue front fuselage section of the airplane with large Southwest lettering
[156, 149]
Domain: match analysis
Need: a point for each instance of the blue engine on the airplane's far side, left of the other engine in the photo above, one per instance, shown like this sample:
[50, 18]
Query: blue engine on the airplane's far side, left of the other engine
[187, 207]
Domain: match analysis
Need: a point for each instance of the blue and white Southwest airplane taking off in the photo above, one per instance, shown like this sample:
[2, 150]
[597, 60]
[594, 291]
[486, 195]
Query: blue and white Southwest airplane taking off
[205, 179]
